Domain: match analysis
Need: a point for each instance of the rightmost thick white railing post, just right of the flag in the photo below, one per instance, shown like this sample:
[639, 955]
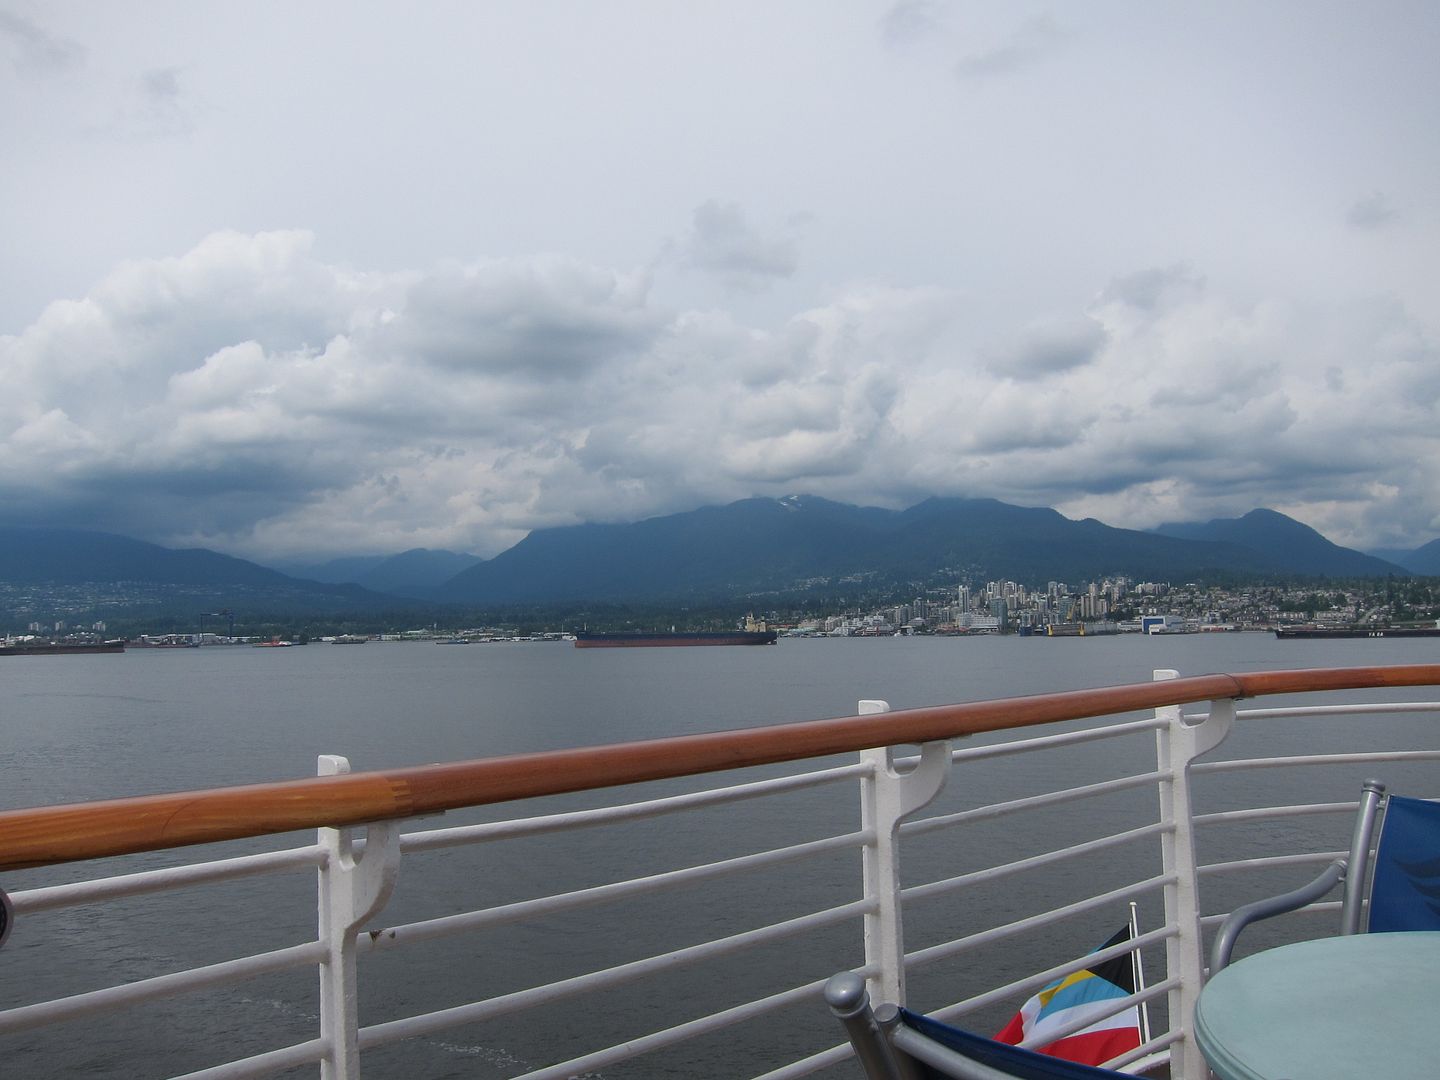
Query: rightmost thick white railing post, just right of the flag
[1177, 745]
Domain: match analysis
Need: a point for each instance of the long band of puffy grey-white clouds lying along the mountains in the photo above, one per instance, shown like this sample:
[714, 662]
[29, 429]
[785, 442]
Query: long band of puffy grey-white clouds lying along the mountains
[251, 397]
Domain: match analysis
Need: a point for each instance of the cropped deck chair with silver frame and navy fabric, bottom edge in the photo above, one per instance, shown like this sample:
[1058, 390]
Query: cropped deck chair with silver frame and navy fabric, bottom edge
[896, 1045]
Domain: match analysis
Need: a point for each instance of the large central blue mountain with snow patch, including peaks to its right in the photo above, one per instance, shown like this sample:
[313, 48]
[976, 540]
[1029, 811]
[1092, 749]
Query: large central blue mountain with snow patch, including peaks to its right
[806, 545]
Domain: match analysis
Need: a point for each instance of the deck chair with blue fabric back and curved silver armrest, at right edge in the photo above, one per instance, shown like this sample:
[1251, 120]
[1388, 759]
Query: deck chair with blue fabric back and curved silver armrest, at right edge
[1405, 876]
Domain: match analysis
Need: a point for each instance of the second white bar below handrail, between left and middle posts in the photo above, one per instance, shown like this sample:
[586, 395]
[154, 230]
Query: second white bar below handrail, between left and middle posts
[617, 891]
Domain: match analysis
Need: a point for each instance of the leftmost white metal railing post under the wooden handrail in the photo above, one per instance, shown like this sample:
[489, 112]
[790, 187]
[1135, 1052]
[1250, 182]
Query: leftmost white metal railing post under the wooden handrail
[351, 892]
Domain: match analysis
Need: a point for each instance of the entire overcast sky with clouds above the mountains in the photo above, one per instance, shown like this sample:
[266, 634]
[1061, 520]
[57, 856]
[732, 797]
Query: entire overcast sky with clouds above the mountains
[297, 280]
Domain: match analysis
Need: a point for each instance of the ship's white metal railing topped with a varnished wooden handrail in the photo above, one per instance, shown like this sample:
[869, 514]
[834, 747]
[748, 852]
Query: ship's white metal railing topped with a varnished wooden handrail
[958, 935]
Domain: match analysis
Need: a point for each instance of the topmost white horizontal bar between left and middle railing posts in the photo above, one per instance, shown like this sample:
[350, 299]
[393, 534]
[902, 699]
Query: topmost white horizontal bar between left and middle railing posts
[631, 811]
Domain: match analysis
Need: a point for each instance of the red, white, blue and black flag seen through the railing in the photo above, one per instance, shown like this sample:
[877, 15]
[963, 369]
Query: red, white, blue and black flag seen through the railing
[1075, 997]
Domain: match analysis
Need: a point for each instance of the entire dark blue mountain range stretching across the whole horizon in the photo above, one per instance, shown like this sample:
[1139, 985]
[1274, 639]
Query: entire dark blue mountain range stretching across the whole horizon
[791, 548]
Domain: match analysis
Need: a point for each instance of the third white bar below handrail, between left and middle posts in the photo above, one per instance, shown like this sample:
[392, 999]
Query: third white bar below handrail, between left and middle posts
[430, 1023]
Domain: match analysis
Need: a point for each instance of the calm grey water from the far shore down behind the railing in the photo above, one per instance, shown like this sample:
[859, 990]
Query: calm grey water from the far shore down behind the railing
[84, 728]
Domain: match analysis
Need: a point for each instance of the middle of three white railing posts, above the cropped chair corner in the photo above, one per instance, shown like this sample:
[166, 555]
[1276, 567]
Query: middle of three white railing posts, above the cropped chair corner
[886, 798]
